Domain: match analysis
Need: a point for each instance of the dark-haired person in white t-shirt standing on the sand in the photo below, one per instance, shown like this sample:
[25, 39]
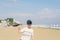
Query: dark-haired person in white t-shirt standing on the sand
[27, 32]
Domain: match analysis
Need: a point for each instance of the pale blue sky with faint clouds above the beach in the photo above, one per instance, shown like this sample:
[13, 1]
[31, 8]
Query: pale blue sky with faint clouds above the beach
[39, 11]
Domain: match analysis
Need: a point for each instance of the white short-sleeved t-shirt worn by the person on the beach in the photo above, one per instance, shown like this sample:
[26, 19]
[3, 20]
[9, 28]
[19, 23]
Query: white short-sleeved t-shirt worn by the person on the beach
[26, 33]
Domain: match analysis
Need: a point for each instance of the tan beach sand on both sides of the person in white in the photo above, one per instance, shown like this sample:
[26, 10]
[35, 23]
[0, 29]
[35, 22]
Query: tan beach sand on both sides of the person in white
[11, 33]
